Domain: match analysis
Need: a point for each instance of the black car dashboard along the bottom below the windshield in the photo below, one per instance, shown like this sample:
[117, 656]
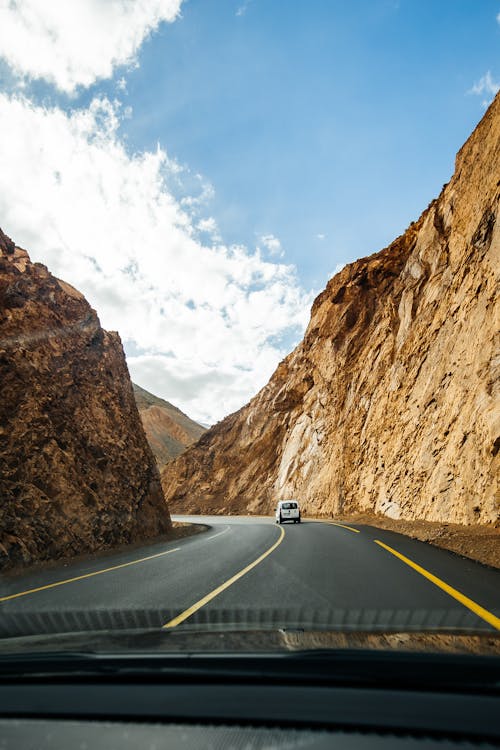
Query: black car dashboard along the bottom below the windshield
[250, 701]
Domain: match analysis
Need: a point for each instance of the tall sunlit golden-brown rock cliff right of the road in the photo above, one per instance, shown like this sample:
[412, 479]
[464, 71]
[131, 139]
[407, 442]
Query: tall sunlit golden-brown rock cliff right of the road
[390, 402]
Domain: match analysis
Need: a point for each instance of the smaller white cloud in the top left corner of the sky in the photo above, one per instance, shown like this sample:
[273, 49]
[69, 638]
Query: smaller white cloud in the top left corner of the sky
[74, 43]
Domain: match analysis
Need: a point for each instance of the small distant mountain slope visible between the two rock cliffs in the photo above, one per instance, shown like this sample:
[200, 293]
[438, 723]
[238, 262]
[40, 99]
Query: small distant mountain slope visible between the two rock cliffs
[168, 430]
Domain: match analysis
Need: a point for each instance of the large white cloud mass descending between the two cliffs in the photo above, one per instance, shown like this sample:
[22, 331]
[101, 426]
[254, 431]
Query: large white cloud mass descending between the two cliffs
[203, 321]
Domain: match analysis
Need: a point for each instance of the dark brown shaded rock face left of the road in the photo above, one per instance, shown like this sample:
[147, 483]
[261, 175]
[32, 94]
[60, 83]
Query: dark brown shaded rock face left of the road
[77, 474]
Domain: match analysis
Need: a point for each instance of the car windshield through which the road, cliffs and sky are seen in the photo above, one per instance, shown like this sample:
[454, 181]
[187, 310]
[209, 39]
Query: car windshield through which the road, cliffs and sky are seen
[249, 363]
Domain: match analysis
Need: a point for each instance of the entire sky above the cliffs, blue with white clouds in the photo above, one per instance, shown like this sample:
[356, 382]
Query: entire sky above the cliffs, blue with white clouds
[199, 169]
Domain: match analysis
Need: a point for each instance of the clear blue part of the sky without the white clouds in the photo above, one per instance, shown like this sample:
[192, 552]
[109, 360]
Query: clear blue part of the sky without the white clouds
[323, 118]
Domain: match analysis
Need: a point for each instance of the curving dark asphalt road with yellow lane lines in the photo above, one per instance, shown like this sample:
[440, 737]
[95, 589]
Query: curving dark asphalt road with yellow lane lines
[250, 572]
